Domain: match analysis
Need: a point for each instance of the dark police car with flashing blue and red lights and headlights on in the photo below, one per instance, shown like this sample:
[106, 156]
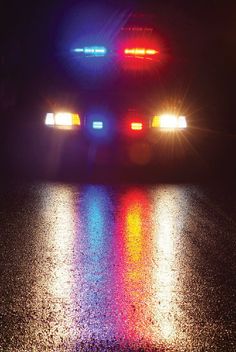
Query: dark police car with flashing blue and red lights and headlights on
[124, 118]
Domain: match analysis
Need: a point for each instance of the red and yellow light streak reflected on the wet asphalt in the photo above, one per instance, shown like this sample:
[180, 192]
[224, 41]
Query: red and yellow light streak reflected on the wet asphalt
[133, 293]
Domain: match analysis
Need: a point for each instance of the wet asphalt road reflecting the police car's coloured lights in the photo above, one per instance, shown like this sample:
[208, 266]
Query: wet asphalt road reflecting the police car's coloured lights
[117, 268]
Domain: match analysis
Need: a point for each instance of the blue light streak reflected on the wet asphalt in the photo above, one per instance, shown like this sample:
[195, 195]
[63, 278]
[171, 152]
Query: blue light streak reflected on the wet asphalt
[96, 262]
